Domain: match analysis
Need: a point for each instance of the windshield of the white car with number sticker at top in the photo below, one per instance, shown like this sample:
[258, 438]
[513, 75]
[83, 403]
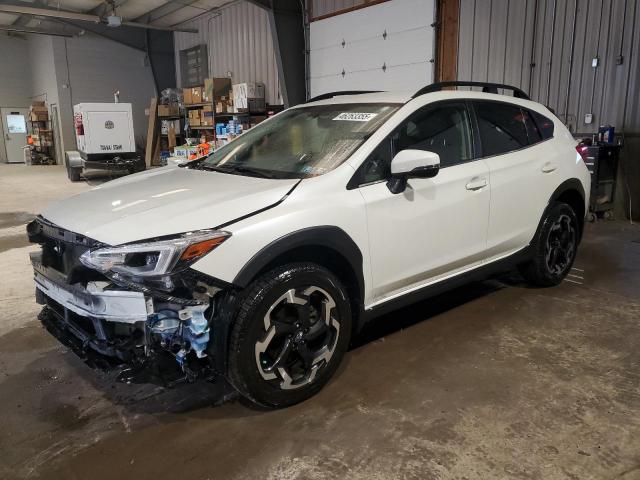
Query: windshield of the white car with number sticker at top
[301, 142]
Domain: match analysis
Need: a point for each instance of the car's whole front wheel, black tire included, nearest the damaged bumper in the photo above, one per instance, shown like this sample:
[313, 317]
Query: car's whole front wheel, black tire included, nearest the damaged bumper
[268, 294]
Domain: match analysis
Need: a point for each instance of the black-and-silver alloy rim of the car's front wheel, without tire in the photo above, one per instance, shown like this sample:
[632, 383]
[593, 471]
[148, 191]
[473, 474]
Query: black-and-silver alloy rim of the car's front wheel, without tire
[301, 332]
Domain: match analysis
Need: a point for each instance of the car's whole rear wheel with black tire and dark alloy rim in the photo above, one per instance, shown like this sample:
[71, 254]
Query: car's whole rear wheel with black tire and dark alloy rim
[554, 247]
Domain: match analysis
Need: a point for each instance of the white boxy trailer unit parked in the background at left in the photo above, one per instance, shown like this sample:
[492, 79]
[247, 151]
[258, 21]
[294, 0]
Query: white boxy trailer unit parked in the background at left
[105, 139]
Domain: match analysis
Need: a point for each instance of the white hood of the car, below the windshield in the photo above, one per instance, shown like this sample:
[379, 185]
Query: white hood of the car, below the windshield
[164, 201]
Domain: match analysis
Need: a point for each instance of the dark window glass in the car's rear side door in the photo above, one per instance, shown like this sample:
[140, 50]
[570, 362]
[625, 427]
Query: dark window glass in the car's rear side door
[502, 127]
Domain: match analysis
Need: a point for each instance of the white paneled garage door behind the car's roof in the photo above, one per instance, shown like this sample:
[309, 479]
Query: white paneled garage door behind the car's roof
[389, 46]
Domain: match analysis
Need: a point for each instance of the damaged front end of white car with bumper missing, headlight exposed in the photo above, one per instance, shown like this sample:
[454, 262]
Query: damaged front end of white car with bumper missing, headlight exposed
[136, 308]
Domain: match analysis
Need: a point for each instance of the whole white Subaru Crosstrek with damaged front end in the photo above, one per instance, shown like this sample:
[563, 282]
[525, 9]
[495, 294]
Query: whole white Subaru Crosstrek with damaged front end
[259, 263]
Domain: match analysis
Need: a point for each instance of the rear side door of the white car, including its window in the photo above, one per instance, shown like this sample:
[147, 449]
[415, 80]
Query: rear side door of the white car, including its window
[523, 174]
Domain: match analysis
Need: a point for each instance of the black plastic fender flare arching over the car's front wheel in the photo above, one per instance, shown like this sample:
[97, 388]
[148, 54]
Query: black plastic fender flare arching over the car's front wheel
[326, 236]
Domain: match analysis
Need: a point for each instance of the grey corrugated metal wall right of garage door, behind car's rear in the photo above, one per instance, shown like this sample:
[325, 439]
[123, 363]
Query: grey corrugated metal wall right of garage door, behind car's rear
[546, 47]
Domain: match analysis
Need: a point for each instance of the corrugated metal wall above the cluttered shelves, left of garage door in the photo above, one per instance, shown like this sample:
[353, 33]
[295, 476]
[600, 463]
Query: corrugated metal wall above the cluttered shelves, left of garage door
[238, 39]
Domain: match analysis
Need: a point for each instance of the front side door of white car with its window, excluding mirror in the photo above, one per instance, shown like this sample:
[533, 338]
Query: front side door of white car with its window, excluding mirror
[438, 225]
